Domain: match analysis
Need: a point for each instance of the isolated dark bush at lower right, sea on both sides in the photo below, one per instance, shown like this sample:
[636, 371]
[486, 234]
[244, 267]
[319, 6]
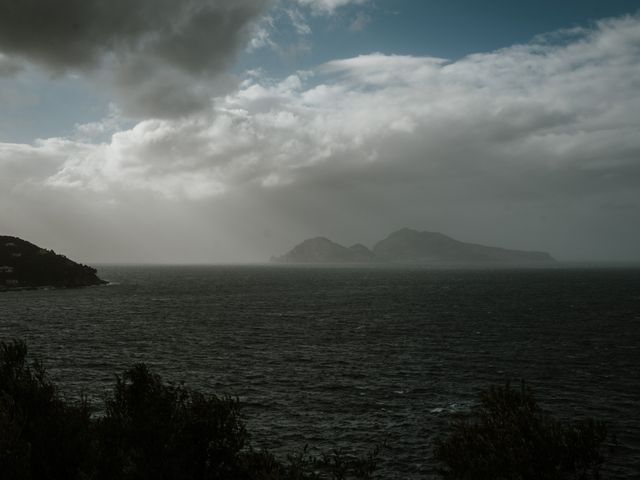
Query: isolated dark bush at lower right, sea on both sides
[509, 437]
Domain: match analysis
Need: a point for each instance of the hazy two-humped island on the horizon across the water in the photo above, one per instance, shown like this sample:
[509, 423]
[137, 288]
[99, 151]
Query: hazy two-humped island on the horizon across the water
[408, 246]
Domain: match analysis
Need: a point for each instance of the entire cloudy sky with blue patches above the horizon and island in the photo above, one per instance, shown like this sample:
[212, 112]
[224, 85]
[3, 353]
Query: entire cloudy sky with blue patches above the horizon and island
[224, 131]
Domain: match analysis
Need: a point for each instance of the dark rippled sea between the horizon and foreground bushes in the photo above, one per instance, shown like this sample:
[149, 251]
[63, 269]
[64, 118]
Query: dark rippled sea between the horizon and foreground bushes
[353, 358]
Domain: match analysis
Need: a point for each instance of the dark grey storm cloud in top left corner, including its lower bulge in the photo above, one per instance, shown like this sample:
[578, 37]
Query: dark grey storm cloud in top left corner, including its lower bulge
[170, 46]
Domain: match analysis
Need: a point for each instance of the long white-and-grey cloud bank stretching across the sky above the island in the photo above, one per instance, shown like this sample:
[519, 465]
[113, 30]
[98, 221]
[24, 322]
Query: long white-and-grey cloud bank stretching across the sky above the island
[539, 137]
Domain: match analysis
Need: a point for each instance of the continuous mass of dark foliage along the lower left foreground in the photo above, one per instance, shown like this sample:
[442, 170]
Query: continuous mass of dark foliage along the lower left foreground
[150, 430]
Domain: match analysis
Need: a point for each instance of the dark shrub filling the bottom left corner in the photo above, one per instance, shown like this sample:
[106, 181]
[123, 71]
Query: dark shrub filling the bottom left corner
[41, 436]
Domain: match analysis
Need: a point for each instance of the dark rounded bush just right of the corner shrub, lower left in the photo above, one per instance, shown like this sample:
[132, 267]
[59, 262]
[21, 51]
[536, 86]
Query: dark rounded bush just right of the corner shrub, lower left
[154, 430]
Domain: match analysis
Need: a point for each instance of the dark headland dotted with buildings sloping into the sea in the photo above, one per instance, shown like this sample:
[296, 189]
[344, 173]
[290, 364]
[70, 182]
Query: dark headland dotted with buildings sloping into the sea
[25, 265]
